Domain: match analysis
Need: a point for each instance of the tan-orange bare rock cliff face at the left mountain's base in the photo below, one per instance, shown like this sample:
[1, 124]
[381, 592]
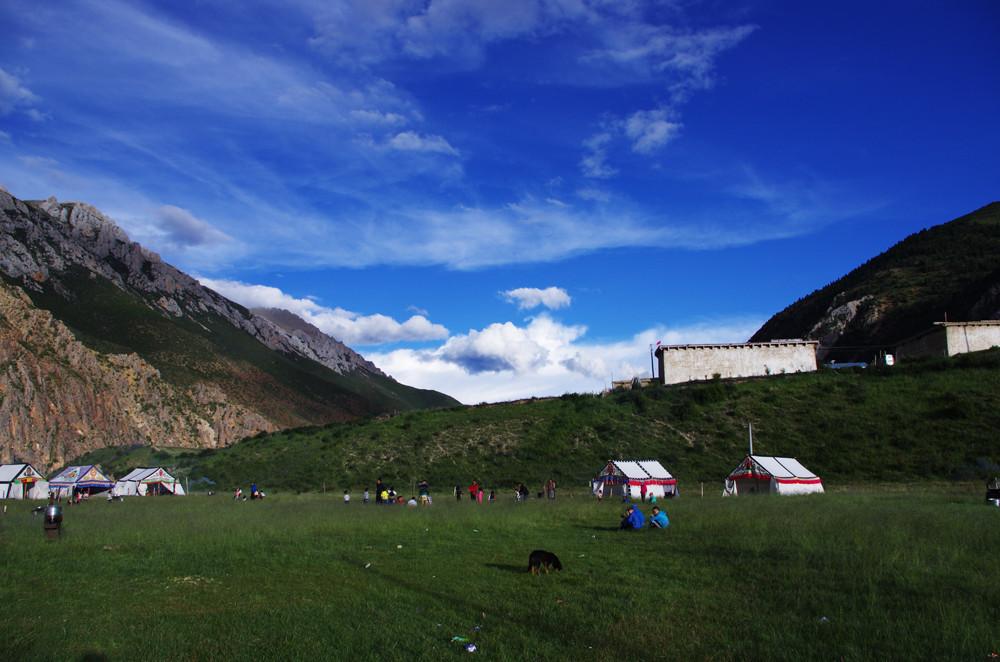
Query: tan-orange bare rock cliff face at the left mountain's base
[60, 399]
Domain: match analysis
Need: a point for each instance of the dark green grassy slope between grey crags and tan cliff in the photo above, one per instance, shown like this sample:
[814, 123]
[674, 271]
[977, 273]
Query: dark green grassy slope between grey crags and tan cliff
[289, 390]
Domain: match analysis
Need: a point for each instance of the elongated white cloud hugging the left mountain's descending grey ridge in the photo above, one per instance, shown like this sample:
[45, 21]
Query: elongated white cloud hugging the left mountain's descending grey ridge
[348, 327]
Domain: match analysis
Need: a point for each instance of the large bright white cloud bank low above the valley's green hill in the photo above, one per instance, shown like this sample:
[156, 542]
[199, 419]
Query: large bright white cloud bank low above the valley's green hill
[544, 358]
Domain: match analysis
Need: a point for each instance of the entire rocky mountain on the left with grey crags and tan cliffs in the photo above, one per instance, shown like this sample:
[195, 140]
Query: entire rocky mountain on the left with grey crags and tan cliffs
[102, 343]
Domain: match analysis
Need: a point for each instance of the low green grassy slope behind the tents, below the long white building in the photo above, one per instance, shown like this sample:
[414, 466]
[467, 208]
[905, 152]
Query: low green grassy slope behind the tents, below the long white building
[935, 418]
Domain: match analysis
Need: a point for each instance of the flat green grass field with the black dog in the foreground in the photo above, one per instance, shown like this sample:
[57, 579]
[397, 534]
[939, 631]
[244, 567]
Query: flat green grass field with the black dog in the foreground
[861, 574]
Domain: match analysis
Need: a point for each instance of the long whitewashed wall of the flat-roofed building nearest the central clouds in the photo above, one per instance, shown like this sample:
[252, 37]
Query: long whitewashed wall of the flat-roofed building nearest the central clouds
[685, 363]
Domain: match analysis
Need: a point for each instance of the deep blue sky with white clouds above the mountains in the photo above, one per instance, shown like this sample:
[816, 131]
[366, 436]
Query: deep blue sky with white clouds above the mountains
[508, 199]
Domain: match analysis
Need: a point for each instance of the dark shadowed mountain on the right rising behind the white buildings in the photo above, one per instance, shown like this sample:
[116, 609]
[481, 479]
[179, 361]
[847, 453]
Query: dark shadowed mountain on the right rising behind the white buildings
[947, 272]
